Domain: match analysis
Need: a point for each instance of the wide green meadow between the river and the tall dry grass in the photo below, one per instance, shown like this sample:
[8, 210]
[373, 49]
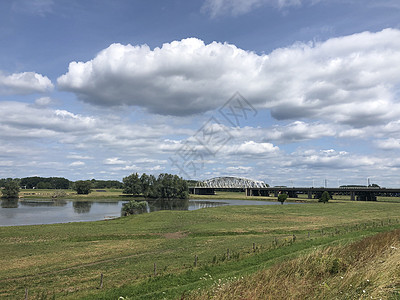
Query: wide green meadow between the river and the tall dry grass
[66, 260]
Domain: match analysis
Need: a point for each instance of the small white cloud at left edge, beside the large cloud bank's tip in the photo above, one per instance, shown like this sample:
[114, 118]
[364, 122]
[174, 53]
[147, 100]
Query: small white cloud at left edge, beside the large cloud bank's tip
[24, 83]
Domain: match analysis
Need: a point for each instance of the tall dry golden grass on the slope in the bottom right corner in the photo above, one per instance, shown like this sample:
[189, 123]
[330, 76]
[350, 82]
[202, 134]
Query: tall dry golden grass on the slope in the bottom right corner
[368, 269]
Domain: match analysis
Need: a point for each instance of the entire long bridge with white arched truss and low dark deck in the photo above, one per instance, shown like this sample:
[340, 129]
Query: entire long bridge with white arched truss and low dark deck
[259, 188]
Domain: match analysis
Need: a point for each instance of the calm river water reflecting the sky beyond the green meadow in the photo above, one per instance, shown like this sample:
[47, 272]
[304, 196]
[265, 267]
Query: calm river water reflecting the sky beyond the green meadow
[35, 212]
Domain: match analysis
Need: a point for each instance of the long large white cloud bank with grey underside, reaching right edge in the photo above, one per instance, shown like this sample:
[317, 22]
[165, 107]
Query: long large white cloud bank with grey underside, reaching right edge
[351, 80]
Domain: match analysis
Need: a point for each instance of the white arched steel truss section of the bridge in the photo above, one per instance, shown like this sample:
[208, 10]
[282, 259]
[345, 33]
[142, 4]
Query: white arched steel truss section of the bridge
[231, 182]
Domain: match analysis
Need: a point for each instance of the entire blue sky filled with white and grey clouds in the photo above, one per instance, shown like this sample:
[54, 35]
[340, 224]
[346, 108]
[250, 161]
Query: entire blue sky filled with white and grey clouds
[291, 92]
